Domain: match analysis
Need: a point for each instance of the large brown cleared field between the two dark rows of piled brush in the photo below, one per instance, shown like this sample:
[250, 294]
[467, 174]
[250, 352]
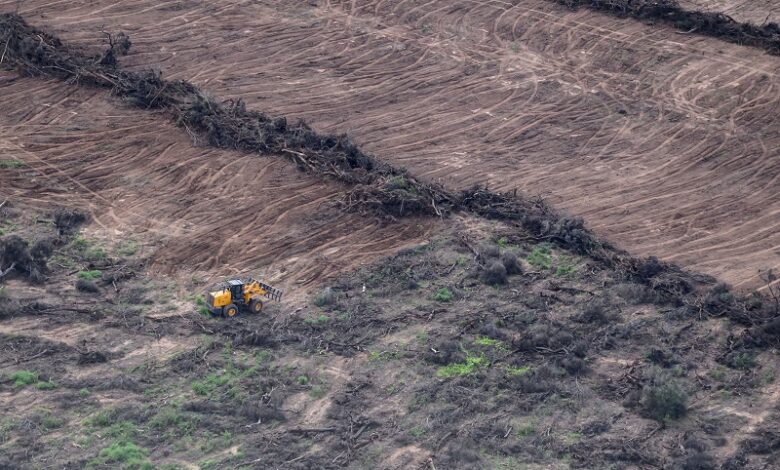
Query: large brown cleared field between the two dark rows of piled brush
[666, 143]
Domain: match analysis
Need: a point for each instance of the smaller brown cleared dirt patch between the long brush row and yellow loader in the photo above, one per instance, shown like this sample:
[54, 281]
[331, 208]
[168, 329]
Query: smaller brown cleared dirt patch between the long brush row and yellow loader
[214, 212]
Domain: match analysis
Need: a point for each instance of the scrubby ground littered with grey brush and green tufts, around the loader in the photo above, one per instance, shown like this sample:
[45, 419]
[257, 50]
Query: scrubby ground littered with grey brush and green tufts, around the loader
[411, 362]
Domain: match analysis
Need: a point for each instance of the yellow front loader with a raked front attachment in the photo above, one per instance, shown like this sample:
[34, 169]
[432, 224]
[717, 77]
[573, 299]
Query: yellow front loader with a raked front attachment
[240, 294]
